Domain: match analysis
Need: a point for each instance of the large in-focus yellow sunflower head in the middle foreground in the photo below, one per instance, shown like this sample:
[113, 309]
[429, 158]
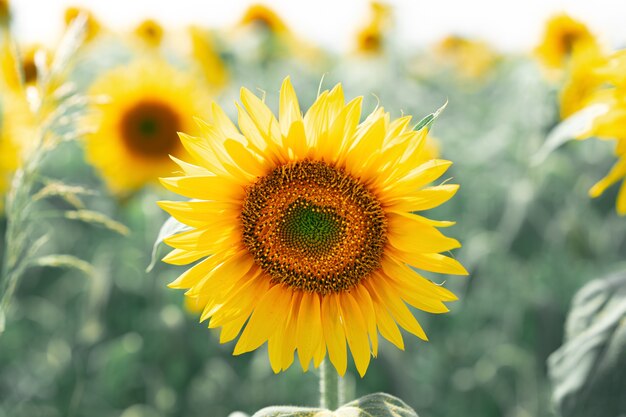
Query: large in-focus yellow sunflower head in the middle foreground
[306, 231]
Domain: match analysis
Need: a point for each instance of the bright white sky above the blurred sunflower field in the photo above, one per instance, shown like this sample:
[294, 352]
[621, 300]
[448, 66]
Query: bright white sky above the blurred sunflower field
[513, 25]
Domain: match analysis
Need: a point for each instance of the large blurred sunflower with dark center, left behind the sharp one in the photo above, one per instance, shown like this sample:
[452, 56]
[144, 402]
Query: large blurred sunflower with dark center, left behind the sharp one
[148, 102]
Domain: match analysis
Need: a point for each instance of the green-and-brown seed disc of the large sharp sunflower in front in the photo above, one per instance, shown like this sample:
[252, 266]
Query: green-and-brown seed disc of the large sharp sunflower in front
[313, 227]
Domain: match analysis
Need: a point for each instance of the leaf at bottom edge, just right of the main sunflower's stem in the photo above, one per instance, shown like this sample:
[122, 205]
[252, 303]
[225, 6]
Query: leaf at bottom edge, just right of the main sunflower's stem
[376, 405]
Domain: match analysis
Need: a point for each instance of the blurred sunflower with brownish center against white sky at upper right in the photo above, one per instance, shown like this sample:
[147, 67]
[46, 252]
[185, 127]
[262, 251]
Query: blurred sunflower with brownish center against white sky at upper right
[563, 36]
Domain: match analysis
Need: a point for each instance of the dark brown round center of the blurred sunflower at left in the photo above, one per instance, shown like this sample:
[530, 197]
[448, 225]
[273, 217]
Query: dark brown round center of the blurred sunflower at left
[149, 129]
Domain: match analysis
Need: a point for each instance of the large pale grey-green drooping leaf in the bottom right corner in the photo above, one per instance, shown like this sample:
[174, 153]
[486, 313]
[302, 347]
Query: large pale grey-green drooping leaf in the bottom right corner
[587, 372]
